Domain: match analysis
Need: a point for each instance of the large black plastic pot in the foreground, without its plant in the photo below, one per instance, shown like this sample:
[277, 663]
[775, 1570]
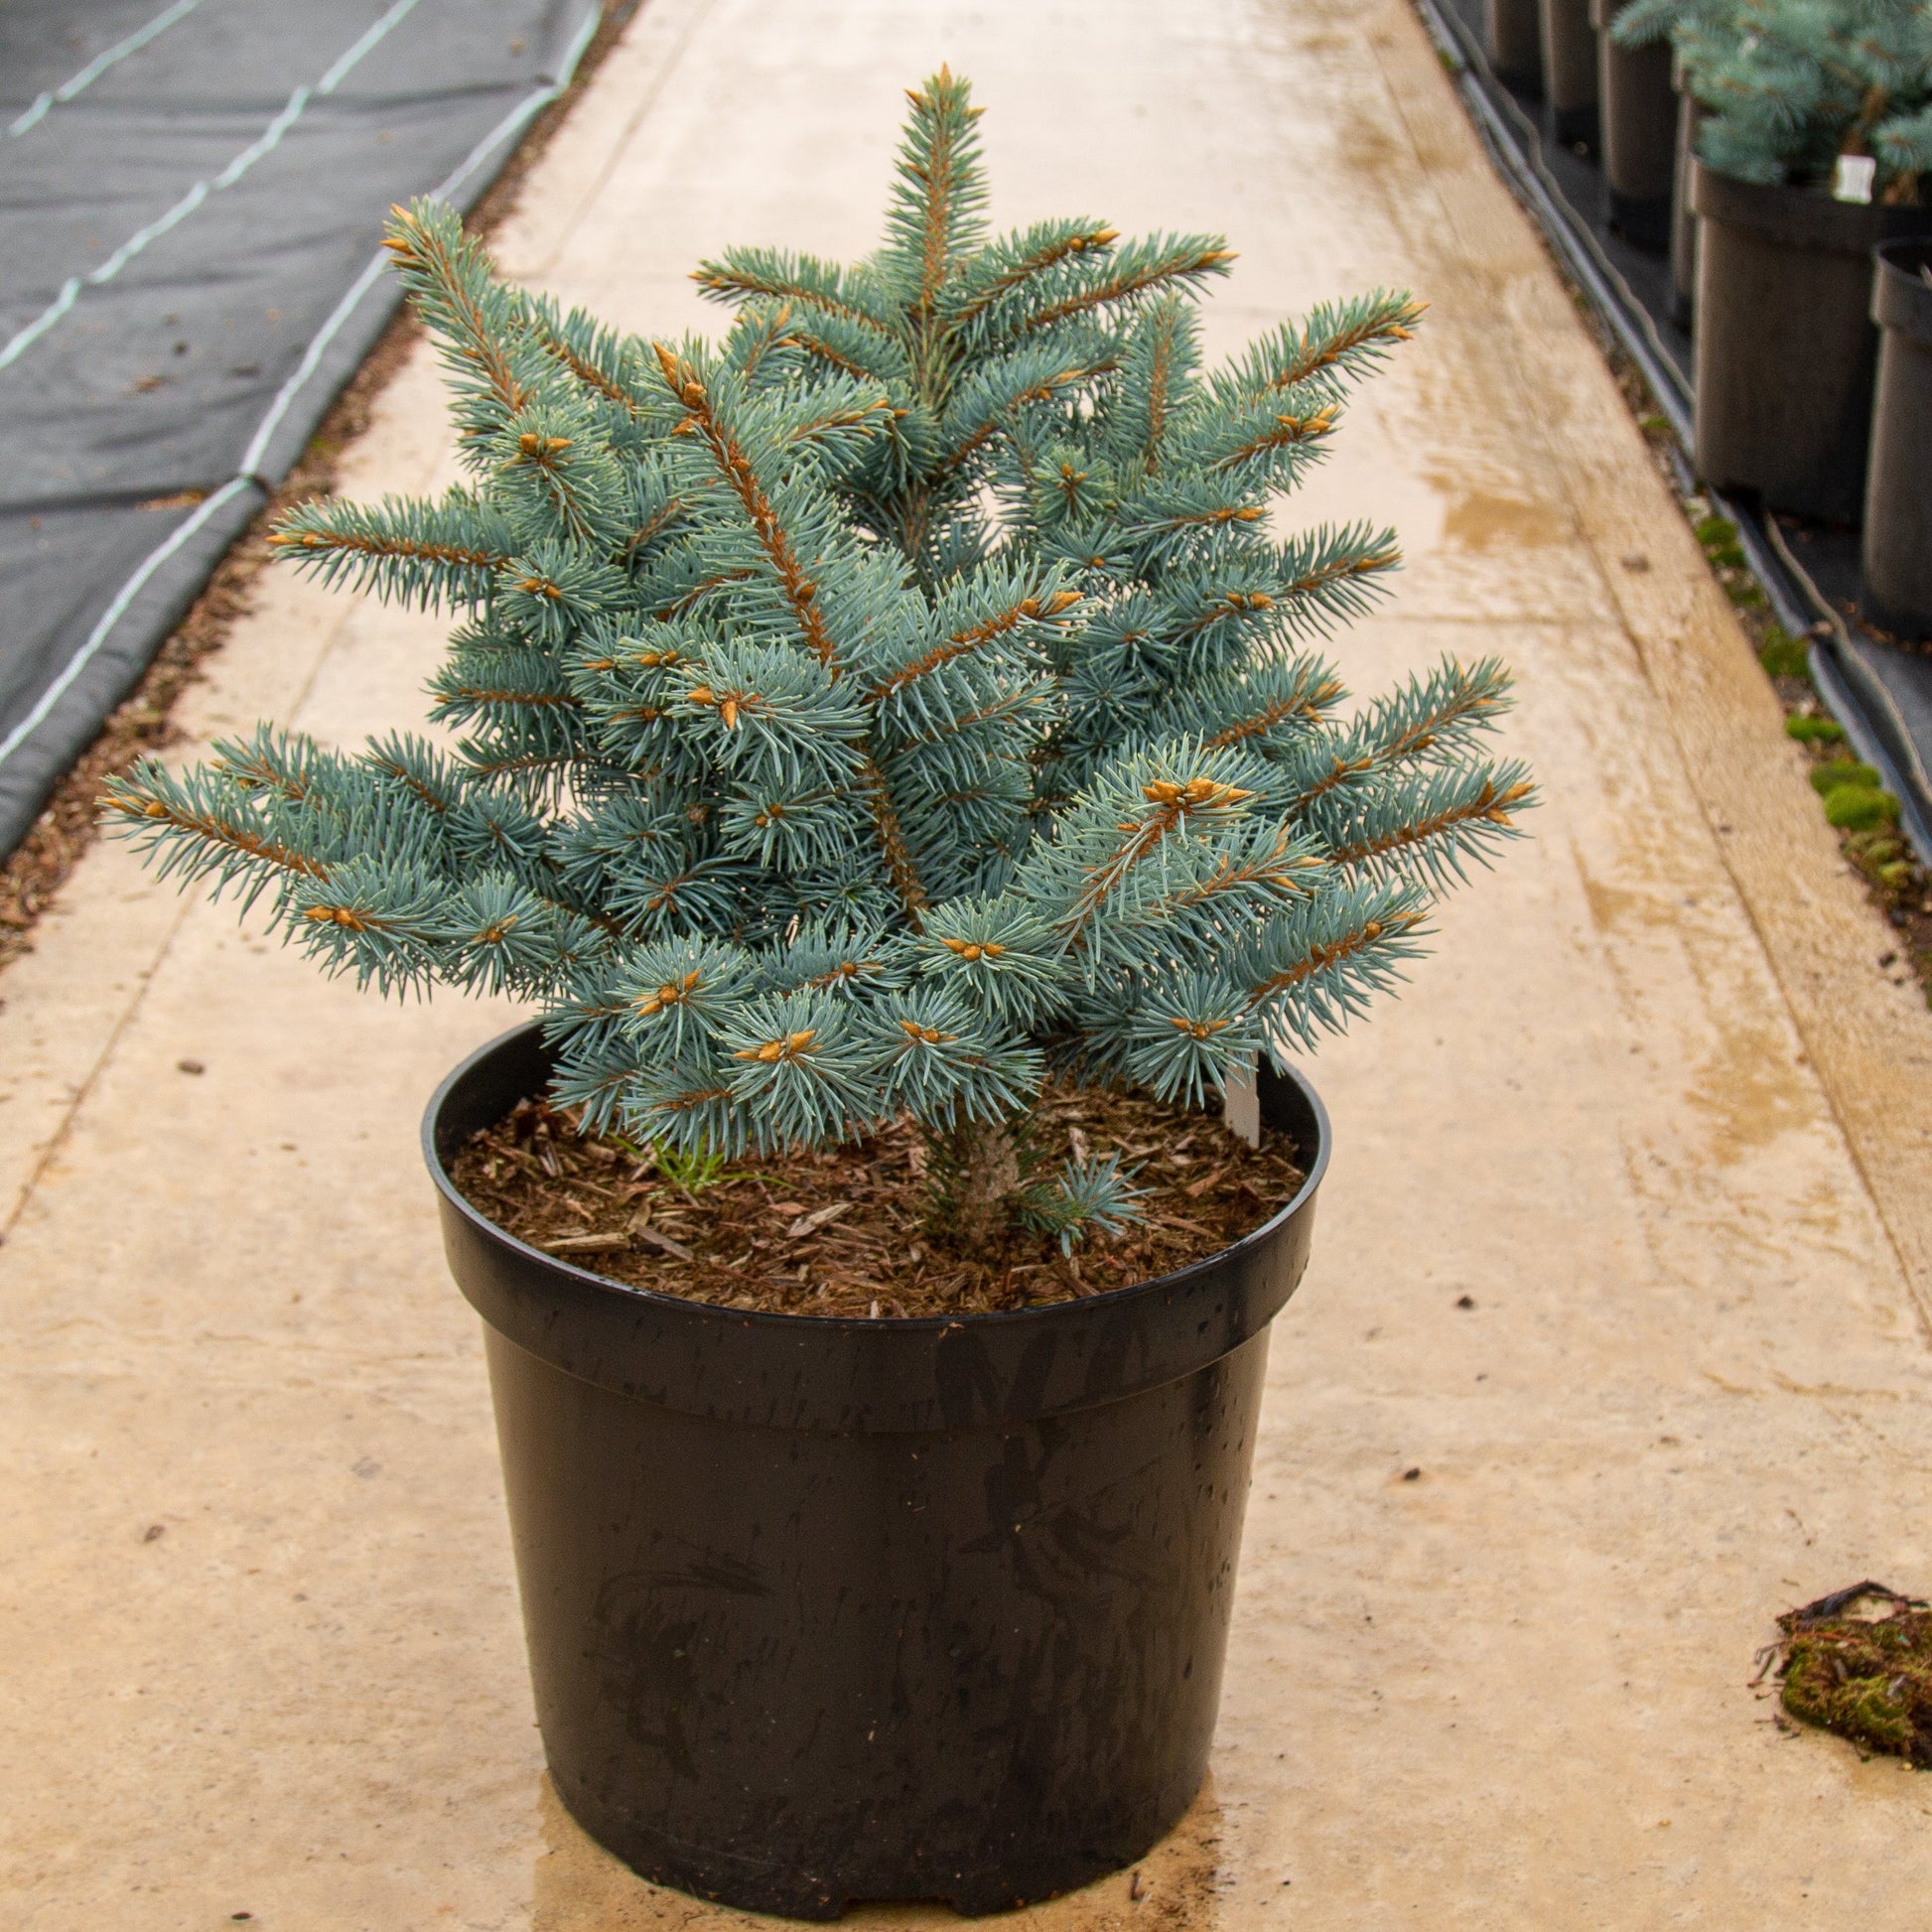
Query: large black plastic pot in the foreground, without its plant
[830, 1610]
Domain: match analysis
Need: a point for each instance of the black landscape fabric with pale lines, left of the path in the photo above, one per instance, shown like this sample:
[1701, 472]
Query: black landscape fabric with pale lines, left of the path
[190, 223]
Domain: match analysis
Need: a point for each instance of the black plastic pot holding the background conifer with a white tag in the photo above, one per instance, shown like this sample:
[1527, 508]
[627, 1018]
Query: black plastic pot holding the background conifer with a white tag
[1784, 341]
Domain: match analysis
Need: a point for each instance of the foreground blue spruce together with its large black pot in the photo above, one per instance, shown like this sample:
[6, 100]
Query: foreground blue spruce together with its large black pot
[865, 720]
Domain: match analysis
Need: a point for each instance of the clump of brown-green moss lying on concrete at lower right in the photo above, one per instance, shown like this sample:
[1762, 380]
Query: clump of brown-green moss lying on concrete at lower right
[1865, 1678]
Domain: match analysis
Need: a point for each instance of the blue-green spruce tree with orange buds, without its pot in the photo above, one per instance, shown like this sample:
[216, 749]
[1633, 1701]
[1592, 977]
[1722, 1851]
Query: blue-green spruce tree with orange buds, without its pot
[882, 708]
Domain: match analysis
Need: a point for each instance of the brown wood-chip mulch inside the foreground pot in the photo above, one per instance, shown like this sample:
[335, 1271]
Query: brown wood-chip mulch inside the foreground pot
[841, 1232]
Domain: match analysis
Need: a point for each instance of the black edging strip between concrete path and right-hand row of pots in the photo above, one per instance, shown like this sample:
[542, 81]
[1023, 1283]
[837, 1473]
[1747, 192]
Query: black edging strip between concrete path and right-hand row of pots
[1856, 698]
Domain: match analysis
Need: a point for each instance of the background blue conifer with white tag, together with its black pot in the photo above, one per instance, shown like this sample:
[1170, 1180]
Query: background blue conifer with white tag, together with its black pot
[1811, 152]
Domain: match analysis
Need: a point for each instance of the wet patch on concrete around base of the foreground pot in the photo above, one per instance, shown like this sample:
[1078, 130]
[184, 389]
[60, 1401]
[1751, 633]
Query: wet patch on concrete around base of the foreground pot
[581, 1889]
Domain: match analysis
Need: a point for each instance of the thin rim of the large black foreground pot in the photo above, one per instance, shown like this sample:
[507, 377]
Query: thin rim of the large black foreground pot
[1152, 1288]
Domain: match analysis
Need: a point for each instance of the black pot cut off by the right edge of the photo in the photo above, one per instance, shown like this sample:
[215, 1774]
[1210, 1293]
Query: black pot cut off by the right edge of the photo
[1898, 488]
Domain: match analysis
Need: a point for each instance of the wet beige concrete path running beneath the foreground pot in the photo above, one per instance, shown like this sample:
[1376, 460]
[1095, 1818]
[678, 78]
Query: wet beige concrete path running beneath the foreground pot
[1655, 1110]
